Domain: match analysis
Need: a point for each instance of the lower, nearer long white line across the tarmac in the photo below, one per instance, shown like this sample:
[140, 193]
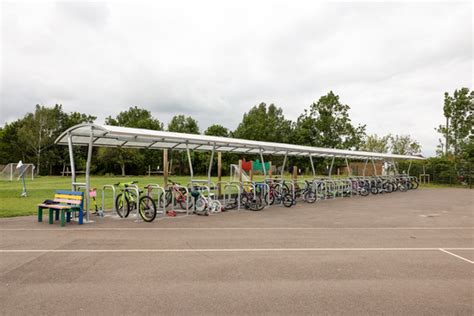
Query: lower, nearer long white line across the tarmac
[222, 250]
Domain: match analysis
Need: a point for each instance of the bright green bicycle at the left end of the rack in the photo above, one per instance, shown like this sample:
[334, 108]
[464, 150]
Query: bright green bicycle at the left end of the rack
[126, 201]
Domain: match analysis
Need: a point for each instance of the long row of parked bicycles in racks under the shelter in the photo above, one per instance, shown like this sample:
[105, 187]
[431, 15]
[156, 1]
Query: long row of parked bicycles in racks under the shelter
[204, 198]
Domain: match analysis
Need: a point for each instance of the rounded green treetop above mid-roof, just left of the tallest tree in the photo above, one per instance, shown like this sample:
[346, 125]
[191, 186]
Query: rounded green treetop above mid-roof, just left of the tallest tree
[264, 124]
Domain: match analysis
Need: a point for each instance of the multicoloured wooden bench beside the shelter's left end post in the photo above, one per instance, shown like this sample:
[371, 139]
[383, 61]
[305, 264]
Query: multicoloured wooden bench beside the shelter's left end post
[64, 203]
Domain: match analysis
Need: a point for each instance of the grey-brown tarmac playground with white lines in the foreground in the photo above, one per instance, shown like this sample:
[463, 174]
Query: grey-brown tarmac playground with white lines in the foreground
[399, 253]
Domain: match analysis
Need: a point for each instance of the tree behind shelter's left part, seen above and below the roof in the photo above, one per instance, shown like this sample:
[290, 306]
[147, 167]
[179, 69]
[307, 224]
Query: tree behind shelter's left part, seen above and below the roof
[137, 118]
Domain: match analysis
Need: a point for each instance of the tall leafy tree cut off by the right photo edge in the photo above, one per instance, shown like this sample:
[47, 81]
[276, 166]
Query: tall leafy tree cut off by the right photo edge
[458, 130]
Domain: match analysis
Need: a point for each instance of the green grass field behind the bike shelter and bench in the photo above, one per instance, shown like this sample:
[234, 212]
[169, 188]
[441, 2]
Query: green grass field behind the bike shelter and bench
[43, 188]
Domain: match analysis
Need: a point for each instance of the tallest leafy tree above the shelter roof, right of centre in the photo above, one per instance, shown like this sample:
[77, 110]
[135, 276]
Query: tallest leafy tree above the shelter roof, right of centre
[327, 124]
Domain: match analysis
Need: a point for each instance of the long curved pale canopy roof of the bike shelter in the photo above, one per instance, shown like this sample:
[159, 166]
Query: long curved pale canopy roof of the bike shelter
[126, 137]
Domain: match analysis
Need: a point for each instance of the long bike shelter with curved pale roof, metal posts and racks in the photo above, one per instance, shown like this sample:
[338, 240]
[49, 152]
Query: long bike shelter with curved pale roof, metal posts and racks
[96, 135]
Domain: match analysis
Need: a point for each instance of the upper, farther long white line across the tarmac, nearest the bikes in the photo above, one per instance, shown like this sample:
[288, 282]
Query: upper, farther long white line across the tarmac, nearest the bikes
[232, 228]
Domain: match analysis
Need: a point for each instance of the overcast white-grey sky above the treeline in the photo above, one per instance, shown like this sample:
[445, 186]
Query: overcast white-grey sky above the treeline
[213, 60]
